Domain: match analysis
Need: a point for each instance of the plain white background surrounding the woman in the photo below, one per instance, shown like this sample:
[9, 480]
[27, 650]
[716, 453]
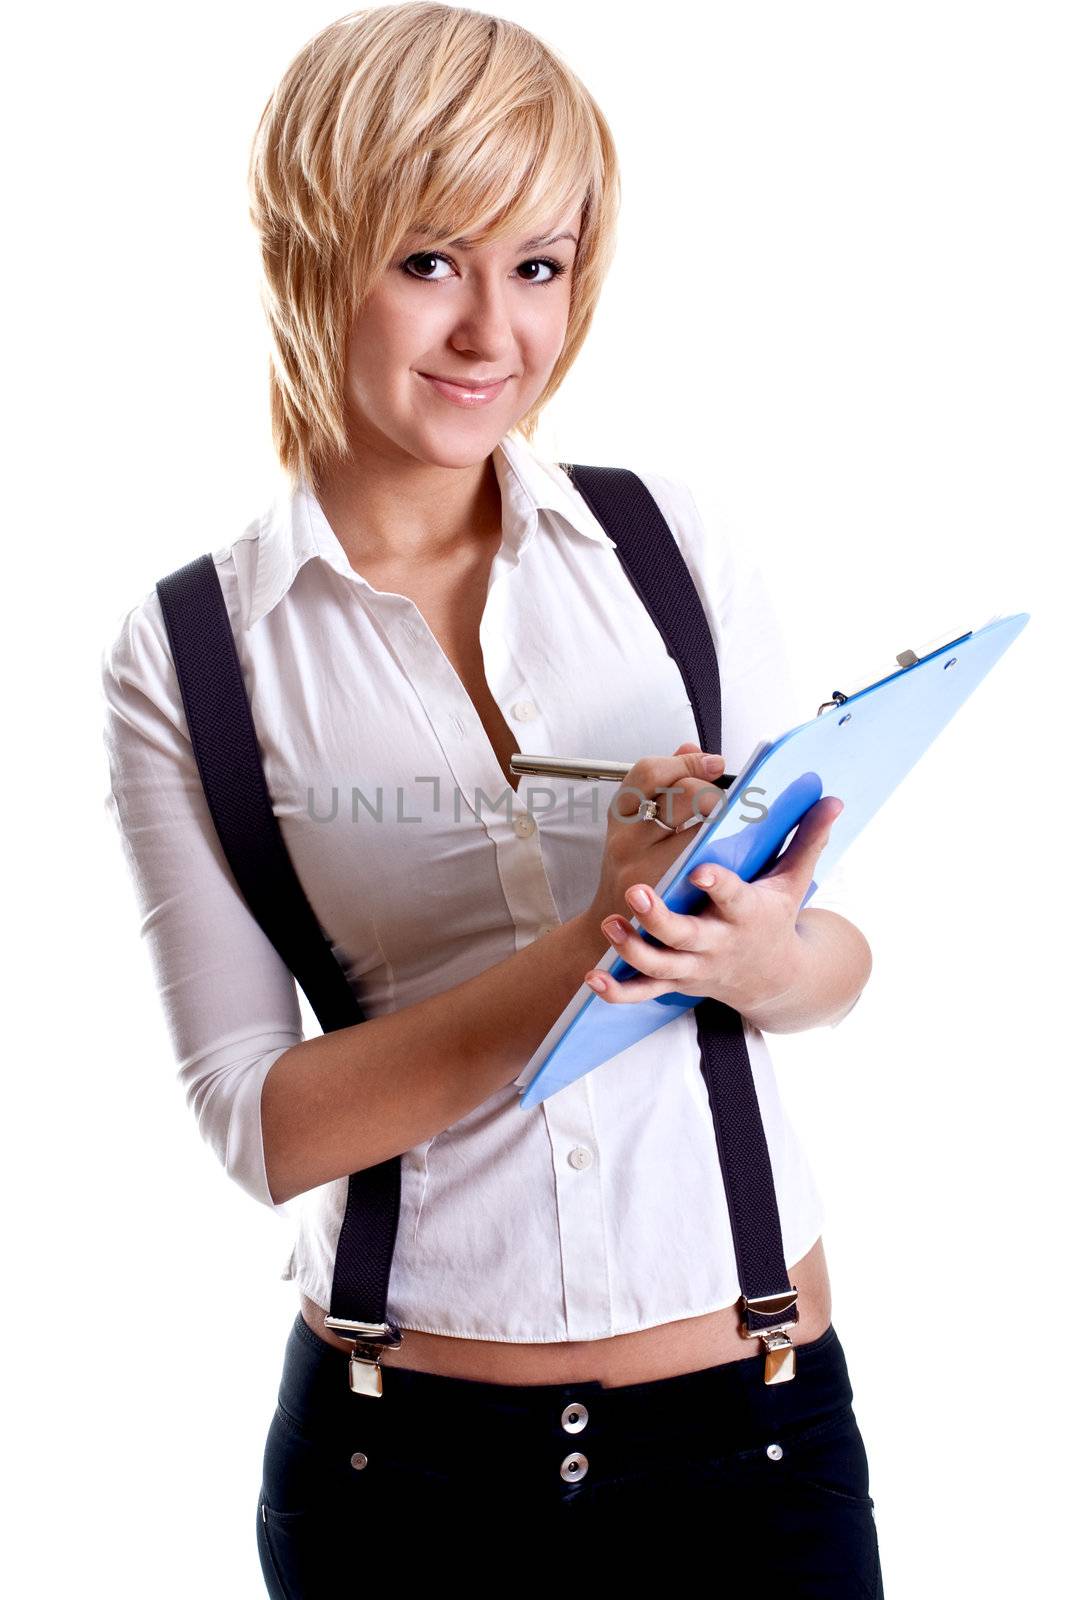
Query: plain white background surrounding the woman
[839, 313]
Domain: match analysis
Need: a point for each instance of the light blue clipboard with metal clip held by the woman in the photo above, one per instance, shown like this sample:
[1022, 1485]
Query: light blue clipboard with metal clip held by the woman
[858, 748]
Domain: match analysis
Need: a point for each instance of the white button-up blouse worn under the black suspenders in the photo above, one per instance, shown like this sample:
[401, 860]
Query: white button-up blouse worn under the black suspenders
[602, 1210]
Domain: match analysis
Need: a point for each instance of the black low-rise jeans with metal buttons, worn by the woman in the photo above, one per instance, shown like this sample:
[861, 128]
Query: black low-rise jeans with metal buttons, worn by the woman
[505, 1484]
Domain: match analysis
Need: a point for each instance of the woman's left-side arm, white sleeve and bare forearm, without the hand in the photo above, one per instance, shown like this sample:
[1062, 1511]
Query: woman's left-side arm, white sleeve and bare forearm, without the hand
[287, 1114]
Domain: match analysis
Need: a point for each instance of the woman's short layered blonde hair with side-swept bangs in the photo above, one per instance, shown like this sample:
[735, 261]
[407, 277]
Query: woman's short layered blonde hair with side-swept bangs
[401, 118]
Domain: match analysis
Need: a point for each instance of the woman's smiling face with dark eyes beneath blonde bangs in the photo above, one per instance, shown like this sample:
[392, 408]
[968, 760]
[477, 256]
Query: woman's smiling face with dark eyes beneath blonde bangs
[489, 313]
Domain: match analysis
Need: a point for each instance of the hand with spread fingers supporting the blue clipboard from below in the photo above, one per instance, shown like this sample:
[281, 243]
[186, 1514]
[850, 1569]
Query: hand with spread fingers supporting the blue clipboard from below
[743, 948]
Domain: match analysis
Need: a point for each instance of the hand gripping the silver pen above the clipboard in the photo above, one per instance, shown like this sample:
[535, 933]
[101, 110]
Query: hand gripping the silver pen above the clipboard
[642, 850]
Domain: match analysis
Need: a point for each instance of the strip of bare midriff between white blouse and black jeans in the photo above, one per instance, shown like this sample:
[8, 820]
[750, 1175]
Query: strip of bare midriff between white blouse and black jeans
[666, 1351]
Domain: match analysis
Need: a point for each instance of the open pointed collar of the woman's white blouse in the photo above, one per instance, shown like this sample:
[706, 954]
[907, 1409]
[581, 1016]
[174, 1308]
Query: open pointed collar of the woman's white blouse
[297, 529]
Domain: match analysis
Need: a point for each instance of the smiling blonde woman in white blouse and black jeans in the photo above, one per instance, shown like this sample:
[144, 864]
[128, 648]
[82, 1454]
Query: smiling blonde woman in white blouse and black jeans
[436, 198]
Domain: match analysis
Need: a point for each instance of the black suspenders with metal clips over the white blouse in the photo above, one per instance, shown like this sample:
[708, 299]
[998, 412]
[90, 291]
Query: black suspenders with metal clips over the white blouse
[228, 756]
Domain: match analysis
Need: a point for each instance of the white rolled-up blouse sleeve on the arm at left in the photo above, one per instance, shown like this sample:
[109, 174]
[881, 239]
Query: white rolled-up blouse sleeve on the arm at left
[230, 1001]
